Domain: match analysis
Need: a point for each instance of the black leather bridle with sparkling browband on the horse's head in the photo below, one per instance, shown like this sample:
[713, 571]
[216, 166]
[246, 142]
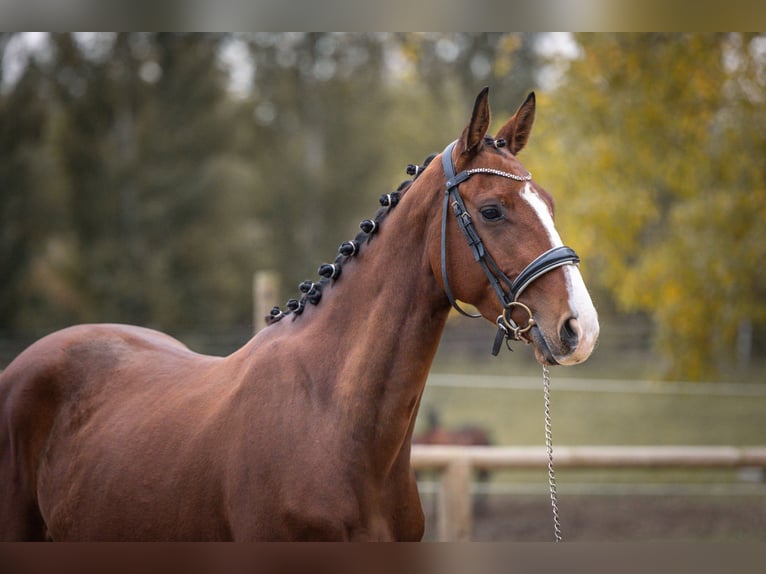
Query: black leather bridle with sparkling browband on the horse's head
[507, 329]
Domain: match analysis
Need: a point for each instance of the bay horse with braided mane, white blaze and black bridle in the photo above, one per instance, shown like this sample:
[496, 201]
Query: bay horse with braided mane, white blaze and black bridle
[115, 432]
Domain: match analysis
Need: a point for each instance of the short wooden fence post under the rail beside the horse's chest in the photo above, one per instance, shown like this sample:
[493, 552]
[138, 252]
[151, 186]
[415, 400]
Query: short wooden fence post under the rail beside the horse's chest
[454, 520]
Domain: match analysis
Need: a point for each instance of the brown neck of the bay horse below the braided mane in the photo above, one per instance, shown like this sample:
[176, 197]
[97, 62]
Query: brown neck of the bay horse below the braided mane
[369, 344]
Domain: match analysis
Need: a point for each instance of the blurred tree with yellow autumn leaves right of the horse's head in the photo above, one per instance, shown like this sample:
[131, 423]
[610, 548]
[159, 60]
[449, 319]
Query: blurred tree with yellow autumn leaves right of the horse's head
[665, 199]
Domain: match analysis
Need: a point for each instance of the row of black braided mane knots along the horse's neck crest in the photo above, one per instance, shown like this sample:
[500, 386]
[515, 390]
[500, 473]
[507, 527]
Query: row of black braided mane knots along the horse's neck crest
[312, 291]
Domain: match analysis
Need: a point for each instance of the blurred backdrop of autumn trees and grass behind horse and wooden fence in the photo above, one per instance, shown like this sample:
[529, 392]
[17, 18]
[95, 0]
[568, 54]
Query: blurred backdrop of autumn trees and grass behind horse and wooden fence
[145, 178]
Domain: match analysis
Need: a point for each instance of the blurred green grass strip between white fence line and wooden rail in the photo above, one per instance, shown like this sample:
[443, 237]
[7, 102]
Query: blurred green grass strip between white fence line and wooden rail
[515, 416]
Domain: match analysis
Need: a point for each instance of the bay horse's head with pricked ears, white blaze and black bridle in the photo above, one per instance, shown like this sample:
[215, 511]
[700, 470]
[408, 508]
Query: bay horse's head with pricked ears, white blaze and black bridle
[509, 261]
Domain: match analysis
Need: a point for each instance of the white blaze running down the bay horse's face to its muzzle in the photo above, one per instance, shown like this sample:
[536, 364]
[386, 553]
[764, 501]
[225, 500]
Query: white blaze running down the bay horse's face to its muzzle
[580, 303]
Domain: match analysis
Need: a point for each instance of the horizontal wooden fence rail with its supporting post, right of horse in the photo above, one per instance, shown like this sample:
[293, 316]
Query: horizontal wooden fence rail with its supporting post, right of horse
[455, 463]
